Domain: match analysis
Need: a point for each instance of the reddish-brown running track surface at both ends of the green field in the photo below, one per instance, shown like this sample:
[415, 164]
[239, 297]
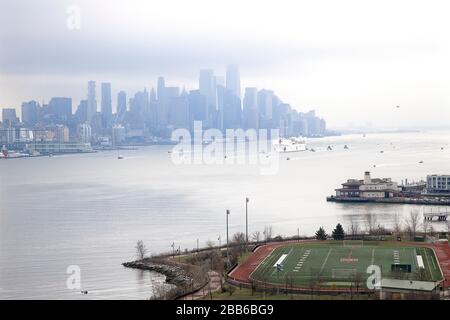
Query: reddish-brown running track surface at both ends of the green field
[242, 272]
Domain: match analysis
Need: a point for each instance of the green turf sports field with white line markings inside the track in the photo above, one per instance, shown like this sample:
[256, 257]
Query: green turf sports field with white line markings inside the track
[338, 265]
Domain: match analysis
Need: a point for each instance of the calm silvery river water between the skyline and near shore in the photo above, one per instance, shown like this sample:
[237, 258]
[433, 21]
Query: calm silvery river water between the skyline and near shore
[91, 209]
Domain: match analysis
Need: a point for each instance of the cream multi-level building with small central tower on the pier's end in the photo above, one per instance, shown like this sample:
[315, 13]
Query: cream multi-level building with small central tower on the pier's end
[368, 188]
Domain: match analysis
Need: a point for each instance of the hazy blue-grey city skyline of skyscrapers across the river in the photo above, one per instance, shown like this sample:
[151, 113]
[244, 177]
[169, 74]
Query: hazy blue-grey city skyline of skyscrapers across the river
[151, 115]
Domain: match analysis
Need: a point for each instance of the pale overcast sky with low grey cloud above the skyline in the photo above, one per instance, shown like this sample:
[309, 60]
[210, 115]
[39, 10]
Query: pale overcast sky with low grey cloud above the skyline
[352, 61]
